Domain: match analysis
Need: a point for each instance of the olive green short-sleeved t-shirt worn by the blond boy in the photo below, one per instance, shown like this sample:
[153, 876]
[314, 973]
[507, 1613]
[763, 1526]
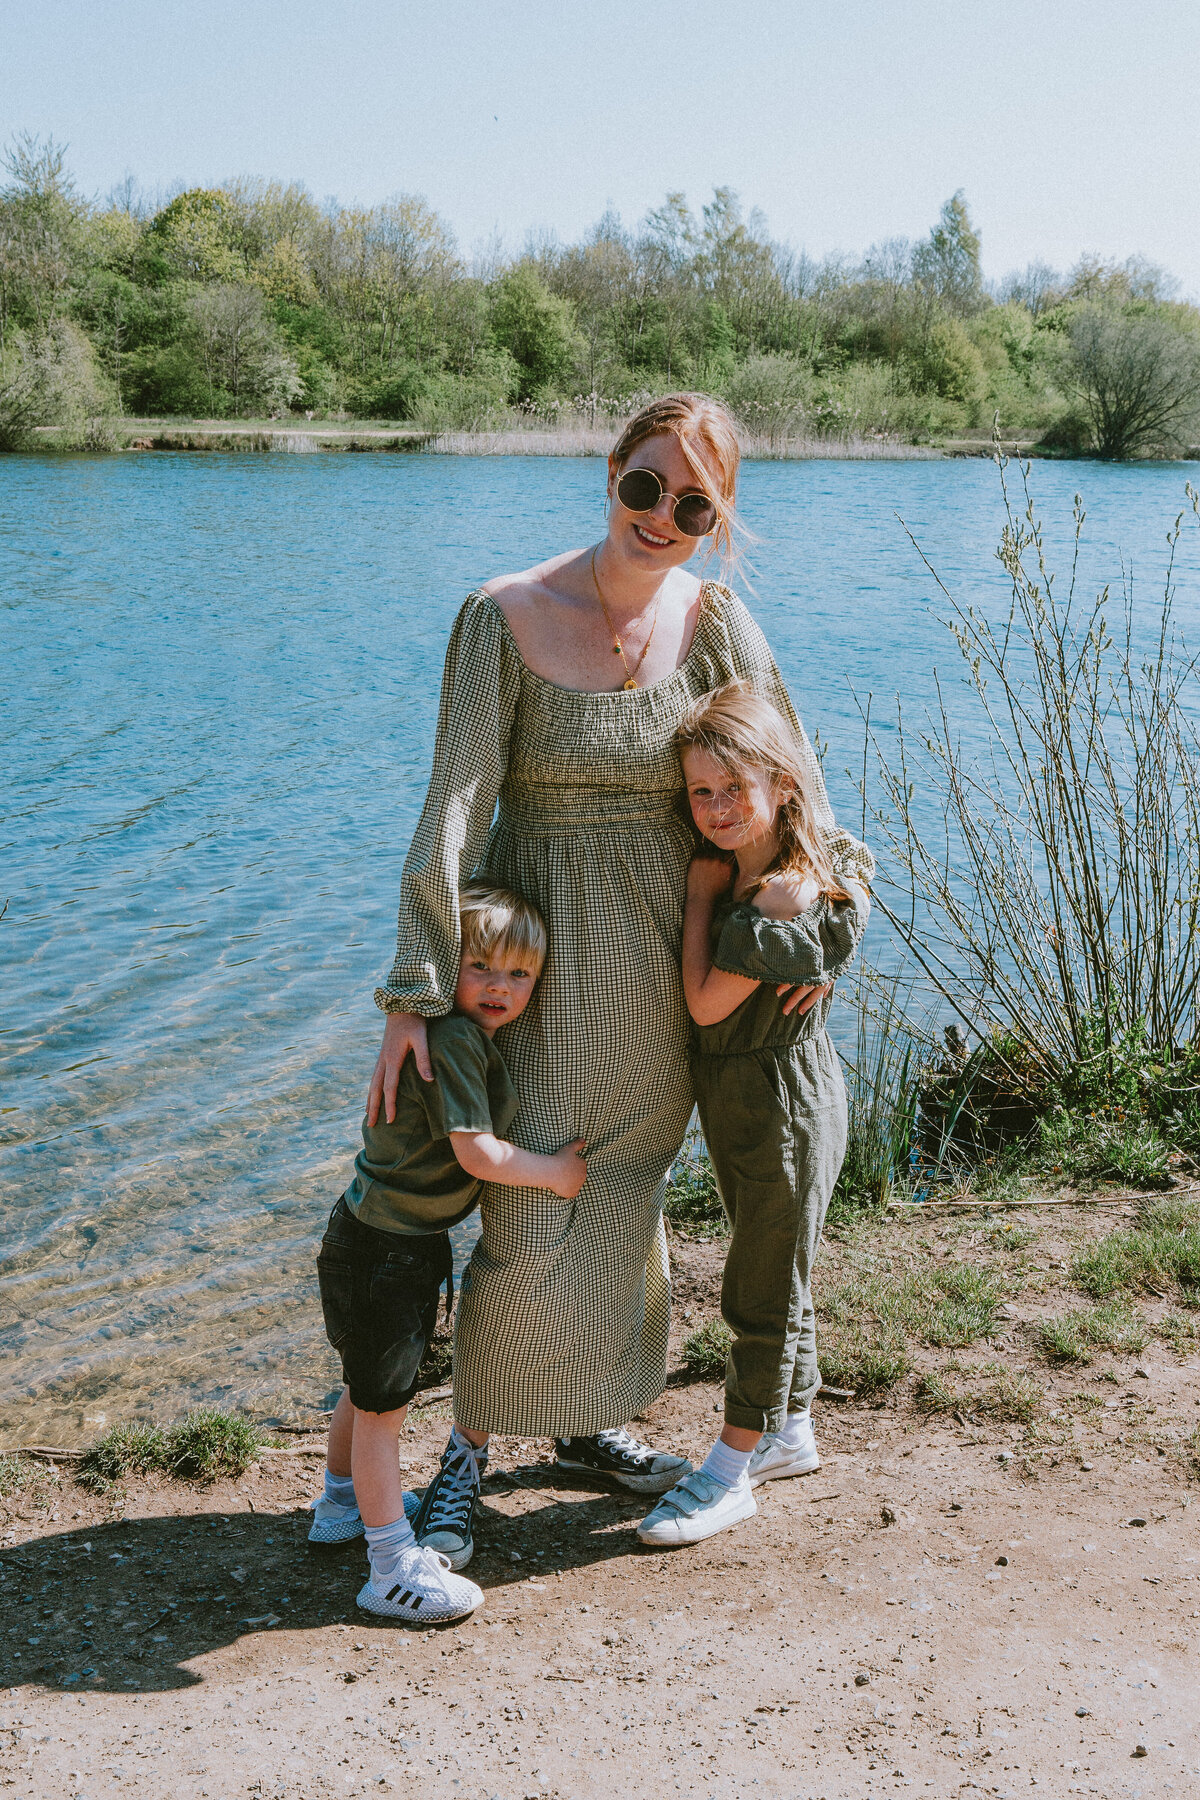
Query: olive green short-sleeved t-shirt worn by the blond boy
[407, 1176]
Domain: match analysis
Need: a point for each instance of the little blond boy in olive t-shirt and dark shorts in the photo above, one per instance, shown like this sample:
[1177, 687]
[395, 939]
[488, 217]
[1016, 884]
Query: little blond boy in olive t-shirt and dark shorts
[386, 1254]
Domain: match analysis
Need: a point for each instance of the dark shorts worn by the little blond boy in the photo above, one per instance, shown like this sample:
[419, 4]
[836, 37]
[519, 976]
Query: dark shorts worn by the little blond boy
[379, 1293]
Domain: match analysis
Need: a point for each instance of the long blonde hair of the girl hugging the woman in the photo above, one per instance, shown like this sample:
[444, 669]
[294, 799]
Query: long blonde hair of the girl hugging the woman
[746, 735]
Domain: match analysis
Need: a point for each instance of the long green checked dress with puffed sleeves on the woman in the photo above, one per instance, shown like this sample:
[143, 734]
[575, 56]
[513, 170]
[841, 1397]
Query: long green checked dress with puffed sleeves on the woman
[566, 1304]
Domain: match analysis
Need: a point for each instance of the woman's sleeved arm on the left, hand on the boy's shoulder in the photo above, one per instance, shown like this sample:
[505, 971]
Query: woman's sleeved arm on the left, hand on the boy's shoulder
[479, 694]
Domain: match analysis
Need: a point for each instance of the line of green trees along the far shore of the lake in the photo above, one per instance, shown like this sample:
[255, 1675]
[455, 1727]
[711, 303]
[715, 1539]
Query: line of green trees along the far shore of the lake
[253, 300]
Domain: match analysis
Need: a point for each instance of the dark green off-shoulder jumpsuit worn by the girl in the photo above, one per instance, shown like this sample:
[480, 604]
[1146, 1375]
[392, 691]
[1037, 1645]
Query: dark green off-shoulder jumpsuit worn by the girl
[773, 1110]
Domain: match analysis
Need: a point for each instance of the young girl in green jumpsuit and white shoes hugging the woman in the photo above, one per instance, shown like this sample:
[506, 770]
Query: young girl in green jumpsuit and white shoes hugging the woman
[764, 915]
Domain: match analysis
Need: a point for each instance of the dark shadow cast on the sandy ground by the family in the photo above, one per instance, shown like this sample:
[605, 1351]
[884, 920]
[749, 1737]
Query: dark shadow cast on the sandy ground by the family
[130, 1605]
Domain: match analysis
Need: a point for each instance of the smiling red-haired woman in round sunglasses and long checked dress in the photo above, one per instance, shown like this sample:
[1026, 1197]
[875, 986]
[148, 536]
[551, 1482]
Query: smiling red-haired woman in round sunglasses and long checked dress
[562, 694]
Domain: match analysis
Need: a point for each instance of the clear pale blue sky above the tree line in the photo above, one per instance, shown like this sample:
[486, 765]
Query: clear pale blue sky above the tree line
[1071, 127]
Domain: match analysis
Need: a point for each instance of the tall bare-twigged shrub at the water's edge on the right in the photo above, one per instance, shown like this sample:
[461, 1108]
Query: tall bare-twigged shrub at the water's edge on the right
[1059, 906]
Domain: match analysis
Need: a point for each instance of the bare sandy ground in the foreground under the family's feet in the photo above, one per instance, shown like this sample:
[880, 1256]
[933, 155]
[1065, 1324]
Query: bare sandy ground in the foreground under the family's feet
[942, 1608]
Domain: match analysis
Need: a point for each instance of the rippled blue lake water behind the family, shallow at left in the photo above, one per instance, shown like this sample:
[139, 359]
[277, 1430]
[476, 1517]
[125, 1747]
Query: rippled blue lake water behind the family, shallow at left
[220, 678]
